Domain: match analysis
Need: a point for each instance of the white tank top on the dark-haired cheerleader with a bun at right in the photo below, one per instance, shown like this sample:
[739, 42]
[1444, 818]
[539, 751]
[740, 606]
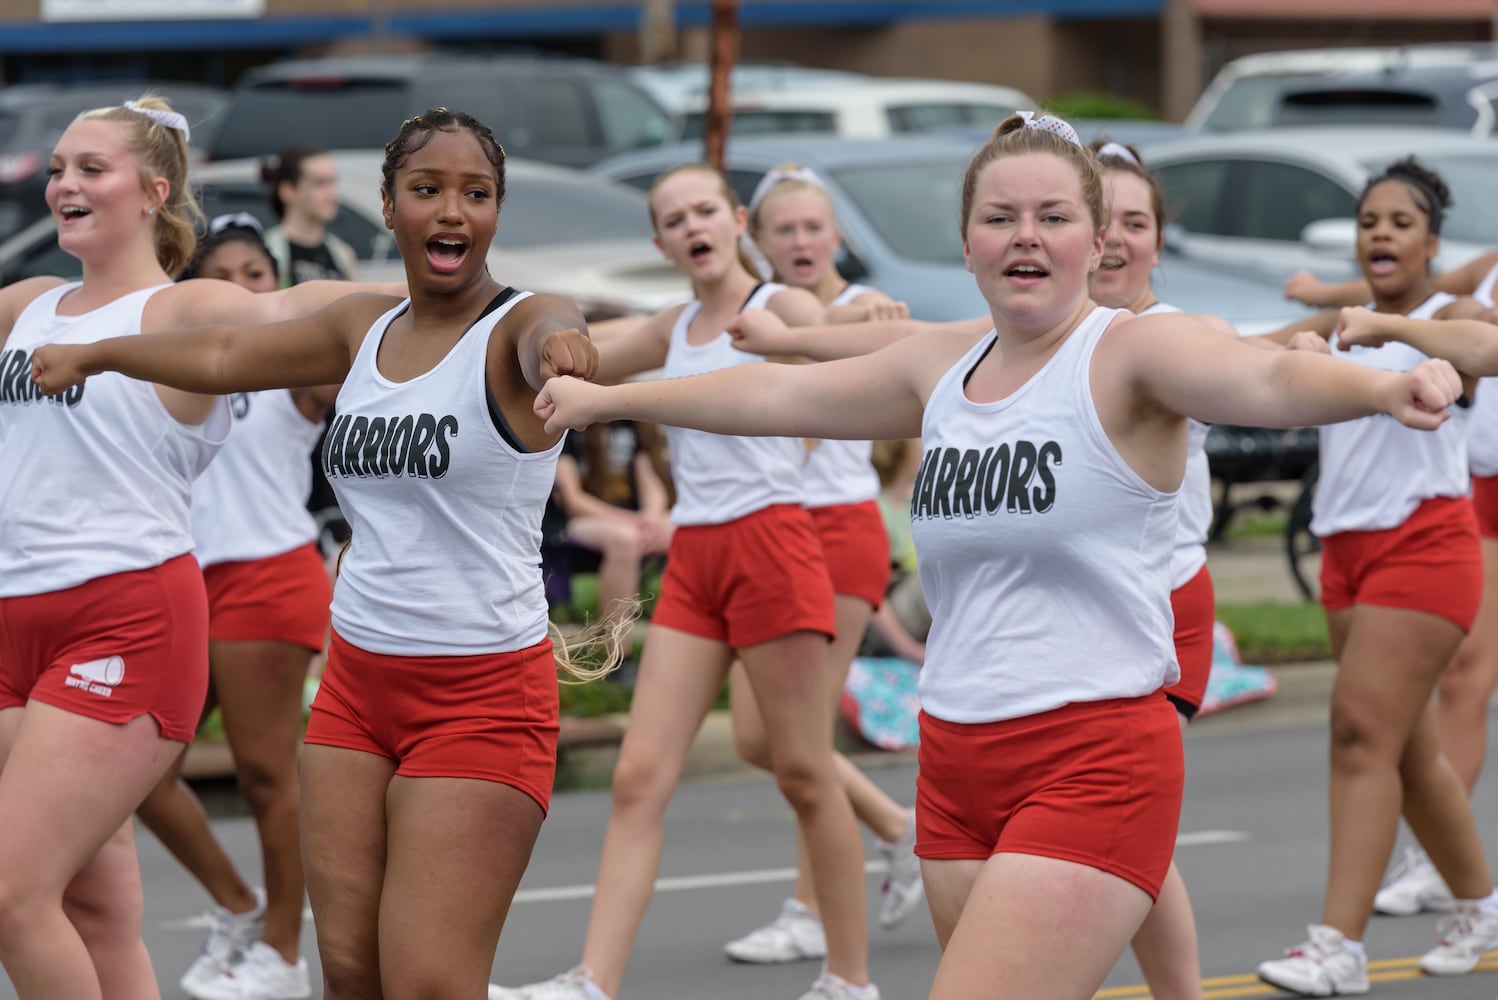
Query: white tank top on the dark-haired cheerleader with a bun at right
[1376, 471]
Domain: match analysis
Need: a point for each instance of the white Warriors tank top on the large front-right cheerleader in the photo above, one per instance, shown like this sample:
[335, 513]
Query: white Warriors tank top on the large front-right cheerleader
[1045, 558]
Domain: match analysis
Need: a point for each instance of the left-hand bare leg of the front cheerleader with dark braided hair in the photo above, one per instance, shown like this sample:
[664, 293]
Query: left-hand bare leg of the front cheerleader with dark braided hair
[344, 847]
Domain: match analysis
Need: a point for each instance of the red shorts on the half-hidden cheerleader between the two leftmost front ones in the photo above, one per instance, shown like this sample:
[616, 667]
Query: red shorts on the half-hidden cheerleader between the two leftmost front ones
[282, 598]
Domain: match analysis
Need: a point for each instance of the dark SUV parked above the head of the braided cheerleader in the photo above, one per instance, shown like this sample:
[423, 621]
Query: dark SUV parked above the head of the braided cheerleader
[558, 110]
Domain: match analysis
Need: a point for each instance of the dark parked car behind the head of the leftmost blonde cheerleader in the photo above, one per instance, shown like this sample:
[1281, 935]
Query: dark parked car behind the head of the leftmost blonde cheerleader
[34, 118]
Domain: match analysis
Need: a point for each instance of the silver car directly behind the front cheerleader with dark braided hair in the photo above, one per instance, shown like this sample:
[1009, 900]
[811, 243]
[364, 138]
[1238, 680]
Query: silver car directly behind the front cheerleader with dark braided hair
[560, 231]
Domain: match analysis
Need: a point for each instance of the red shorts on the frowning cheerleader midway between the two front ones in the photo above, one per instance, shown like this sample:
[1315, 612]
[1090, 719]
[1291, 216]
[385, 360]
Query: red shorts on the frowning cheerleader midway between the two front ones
[748, 582]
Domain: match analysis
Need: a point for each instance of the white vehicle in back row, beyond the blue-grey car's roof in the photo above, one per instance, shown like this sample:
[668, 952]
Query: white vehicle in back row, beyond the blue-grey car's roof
[873, 109]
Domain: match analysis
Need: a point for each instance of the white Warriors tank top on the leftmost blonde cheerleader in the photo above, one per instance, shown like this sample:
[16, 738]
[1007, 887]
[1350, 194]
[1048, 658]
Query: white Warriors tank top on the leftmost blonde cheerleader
[98, 480]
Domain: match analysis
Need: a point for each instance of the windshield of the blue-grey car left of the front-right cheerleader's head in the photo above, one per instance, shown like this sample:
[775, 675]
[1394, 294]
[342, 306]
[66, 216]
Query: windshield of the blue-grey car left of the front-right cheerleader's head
[915, 207]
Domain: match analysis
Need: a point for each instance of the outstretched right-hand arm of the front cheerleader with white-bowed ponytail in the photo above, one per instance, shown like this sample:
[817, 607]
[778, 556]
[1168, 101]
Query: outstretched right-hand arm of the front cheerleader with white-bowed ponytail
[1195, 374]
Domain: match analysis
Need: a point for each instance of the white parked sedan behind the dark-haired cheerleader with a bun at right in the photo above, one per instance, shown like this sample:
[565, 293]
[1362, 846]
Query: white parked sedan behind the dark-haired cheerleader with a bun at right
[1283, 200]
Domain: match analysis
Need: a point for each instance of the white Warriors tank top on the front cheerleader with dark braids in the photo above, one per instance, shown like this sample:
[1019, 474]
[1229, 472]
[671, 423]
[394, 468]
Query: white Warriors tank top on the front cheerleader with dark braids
[446, 516]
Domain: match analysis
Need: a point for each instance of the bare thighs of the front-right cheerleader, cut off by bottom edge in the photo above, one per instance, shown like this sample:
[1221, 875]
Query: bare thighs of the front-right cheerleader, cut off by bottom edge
[1031, 927]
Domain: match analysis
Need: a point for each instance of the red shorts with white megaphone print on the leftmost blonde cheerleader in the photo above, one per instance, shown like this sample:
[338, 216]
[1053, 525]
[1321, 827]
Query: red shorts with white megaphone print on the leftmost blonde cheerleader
[113, 649]
